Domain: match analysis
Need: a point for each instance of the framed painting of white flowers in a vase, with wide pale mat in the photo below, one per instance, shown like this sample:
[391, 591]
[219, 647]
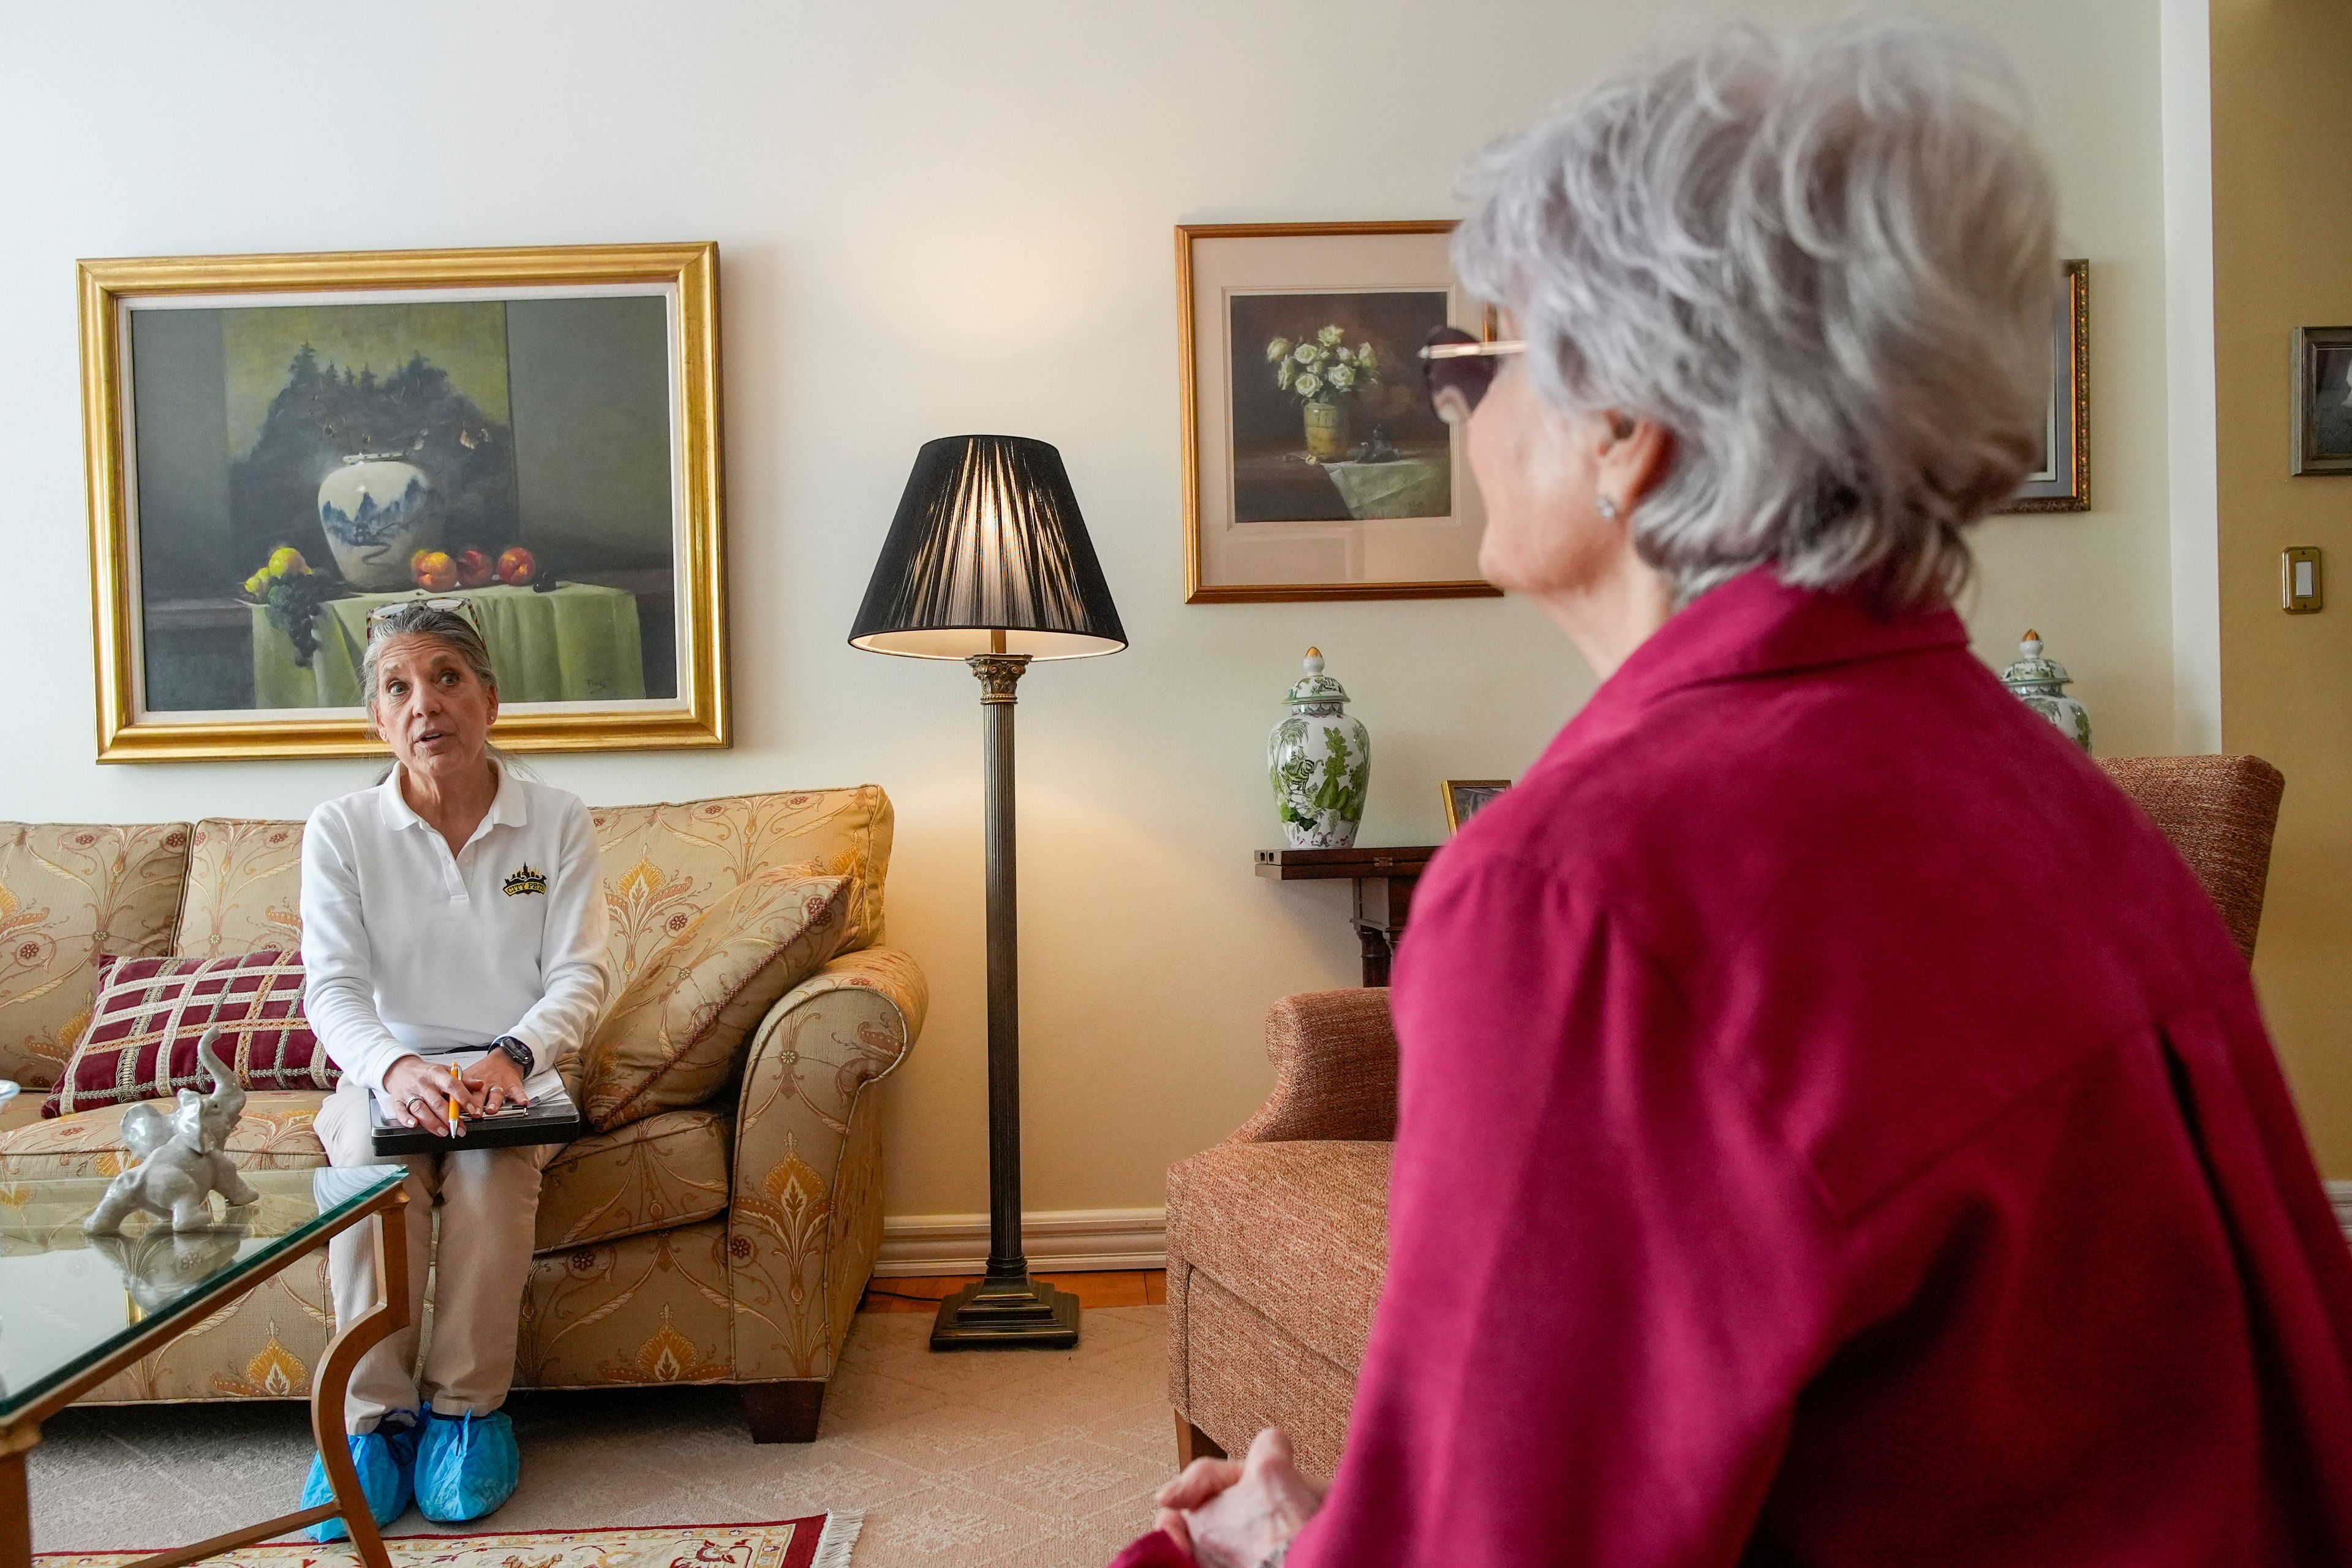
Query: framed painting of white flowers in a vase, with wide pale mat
[1314, 467]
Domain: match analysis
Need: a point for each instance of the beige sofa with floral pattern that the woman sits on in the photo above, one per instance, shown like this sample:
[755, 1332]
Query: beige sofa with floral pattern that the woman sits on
[726, 1242]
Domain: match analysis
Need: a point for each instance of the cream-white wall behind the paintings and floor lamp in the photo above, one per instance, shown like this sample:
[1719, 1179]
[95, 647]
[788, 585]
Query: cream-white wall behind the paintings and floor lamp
[956, 217]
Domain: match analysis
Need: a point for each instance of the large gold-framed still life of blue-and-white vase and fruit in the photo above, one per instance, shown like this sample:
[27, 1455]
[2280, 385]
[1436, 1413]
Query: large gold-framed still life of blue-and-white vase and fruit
[283, 445]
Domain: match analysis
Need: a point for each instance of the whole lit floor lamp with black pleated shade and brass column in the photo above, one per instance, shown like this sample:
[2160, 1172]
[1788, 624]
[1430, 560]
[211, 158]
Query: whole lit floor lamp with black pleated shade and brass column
[989, 563]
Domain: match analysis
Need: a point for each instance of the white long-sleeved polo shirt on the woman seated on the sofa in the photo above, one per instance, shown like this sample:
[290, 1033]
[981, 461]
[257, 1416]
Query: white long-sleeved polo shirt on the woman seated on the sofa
[410, 949]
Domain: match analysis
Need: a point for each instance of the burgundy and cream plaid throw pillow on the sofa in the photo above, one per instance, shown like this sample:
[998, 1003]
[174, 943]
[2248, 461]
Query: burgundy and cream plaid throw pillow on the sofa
[152, 1012]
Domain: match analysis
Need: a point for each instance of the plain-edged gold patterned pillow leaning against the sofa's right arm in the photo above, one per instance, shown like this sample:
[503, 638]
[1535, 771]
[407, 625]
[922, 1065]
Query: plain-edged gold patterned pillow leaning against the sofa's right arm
[674, 1036]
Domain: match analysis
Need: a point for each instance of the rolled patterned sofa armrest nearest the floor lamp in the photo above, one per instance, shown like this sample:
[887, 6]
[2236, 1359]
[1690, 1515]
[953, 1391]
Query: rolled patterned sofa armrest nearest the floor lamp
[806, 1205]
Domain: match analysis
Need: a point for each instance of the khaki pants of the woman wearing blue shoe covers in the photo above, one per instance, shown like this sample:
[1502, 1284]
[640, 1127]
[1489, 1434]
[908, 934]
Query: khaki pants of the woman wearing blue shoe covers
[488, 1205]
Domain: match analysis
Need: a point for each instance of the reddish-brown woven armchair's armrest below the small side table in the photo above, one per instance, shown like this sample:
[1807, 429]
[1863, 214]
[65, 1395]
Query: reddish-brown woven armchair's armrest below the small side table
[1335, 1071]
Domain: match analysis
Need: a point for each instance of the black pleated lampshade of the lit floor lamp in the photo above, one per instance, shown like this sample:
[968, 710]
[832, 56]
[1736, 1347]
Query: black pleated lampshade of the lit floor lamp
[989, 556]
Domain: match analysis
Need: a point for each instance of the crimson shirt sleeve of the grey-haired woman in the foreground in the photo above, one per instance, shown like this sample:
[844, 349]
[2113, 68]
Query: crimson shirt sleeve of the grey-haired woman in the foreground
[1608, 1278]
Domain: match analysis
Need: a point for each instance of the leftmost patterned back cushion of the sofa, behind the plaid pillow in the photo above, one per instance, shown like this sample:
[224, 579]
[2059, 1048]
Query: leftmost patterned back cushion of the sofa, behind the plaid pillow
[72, 892]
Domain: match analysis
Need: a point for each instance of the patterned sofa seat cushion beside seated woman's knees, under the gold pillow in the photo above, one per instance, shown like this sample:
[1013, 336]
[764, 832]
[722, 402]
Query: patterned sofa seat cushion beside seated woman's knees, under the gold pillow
[653, 1174]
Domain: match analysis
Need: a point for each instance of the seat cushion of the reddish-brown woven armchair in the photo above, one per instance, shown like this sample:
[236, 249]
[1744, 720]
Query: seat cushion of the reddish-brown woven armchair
[1297, 1231]
